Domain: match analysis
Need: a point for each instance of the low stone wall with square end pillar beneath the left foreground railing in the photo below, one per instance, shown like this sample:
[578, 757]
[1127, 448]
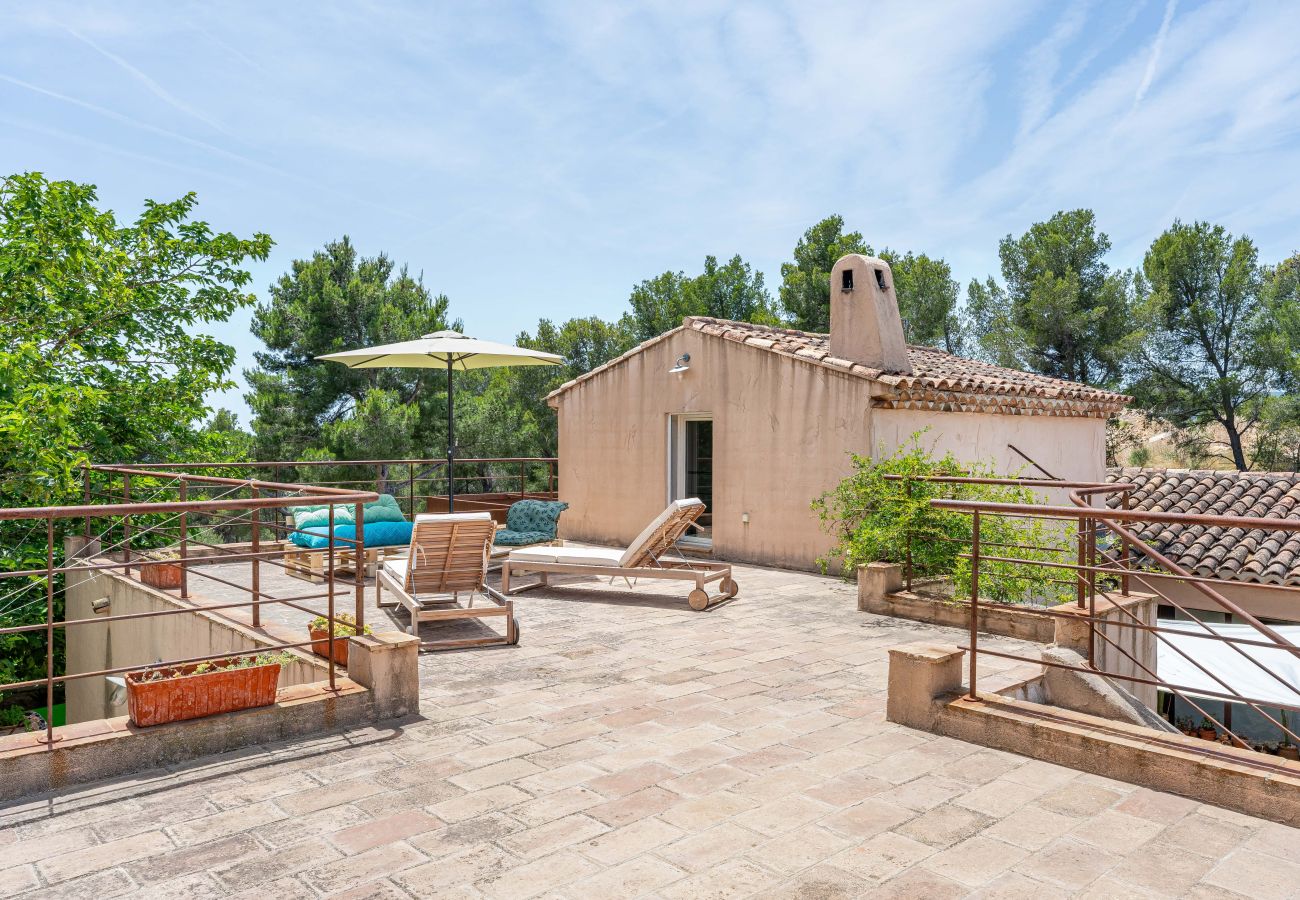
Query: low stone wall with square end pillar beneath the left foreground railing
[384, 685]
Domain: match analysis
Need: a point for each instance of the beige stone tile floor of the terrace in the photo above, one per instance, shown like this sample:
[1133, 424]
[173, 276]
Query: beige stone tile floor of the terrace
[632, 747]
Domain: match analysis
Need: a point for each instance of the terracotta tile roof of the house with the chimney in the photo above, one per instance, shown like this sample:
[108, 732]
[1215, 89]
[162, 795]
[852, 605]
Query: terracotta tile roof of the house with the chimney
[939, 380]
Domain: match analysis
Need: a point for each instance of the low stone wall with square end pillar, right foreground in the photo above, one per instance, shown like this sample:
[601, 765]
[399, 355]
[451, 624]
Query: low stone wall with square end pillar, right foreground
[926, 693]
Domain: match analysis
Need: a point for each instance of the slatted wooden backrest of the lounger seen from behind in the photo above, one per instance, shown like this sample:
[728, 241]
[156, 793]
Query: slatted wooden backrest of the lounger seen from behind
[449, 552]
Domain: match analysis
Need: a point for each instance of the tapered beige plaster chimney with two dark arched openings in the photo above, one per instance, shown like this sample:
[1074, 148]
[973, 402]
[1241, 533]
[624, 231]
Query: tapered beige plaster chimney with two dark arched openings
[865, 323]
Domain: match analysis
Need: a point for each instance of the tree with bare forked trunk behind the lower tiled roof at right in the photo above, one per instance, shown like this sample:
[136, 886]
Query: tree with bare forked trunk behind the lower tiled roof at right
[1210, 351]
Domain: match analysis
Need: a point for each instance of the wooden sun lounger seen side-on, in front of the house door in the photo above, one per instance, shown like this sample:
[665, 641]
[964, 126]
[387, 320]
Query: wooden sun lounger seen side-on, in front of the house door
[643, 560]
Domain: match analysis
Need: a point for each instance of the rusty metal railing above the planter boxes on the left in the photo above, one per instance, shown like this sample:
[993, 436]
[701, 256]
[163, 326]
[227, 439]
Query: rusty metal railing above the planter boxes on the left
[136, 523]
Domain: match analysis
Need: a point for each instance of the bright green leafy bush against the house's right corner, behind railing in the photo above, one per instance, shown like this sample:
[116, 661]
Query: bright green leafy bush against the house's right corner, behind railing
[872, 516]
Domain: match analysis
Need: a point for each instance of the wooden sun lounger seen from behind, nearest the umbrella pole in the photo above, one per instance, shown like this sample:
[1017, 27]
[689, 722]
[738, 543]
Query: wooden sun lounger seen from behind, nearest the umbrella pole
[448, 557]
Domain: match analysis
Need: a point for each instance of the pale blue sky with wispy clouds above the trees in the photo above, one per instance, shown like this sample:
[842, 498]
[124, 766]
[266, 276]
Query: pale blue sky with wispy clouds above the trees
[539, 161]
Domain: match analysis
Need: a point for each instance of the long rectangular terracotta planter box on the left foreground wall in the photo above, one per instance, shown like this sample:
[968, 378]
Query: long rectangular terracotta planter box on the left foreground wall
[193, 696]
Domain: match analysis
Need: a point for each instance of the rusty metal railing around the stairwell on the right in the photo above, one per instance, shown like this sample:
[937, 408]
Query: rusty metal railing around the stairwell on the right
[1107, 572]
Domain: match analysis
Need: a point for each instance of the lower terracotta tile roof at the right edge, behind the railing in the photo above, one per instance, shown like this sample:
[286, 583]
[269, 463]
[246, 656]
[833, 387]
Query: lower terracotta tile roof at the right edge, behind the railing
[1236, 555]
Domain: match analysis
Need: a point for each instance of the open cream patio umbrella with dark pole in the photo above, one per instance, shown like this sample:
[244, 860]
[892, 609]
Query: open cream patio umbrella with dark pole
[444, 349]
